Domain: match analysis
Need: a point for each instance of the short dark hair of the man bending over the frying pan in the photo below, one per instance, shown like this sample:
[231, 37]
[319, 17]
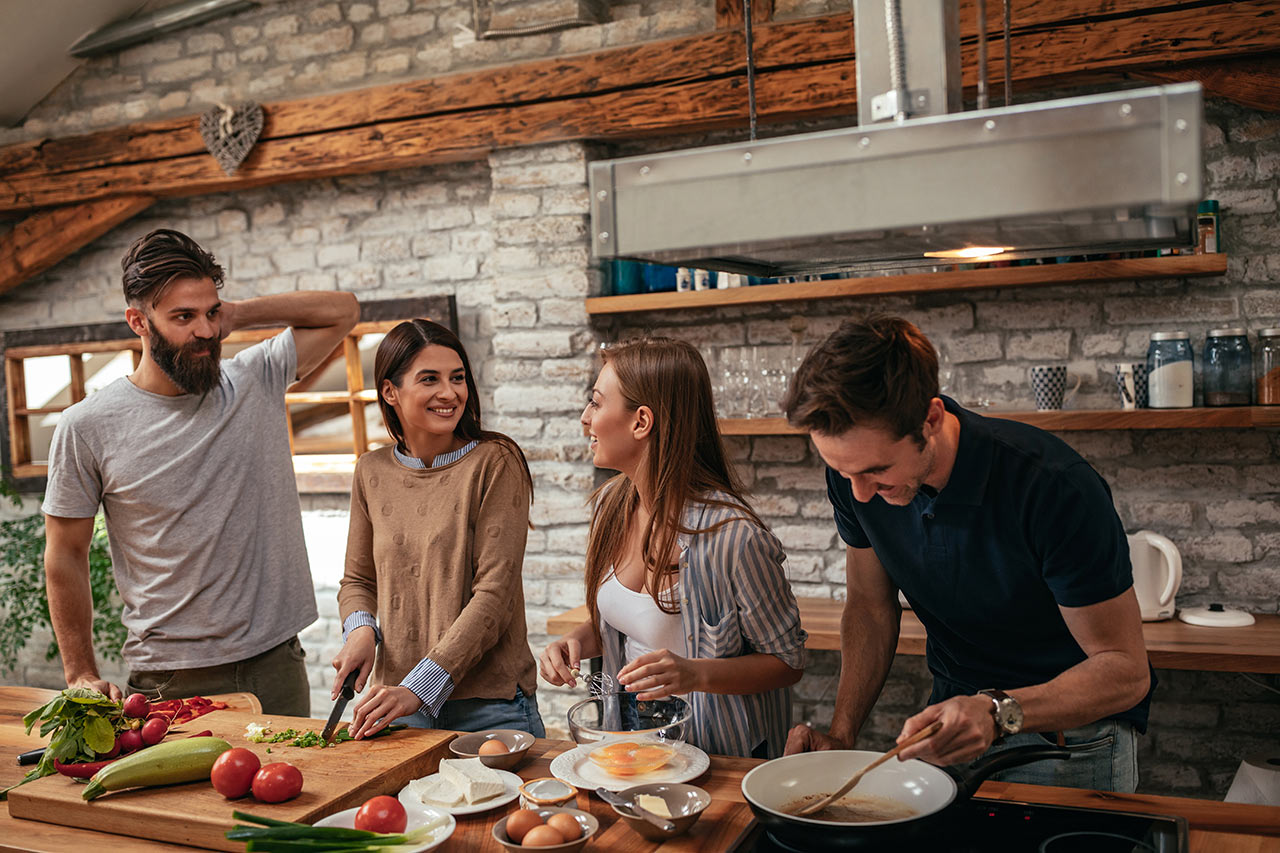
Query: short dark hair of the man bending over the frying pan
[877, 372]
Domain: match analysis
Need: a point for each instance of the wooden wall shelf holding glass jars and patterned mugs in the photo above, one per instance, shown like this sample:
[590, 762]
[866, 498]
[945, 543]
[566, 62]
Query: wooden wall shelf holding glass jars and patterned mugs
[1226, 418]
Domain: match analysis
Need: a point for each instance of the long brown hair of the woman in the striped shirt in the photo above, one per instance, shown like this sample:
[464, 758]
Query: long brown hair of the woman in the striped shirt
[685, 462]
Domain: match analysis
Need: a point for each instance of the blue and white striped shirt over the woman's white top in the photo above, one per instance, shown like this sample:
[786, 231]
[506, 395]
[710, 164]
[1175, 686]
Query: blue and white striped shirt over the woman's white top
[735, 600]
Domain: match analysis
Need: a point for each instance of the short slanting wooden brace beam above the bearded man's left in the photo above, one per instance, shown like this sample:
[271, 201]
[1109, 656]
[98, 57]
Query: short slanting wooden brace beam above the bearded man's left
[49, 236]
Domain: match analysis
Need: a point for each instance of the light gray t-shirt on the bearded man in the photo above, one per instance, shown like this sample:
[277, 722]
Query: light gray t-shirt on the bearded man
[202, 510]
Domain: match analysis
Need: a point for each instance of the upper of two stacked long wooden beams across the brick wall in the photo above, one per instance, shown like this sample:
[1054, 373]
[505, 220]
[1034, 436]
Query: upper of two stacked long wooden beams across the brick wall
[811, 42]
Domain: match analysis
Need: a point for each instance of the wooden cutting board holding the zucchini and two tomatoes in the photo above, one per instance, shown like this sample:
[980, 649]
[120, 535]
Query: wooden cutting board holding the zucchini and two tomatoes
[194, 814]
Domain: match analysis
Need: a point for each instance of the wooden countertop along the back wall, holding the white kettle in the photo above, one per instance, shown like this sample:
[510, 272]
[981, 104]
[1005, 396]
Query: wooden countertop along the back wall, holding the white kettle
[1172, 645]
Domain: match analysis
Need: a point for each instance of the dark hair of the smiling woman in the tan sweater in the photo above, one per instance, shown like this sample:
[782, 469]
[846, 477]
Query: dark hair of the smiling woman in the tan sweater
[396, 355]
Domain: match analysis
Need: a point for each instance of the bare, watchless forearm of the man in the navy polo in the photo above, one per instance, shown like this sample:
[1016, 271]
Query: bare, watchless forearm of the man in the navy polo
[868, 640]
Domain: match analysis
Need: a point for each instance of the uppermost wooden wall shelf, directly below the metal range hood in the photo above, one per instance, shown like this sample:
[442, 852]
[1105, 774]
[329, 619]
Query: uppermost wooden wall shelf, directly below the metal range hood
[1080, 273]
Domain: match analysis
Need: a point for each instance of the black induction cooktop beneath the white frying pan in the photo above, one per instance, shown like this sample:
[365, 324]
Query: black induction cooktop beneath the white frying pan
[1004, 827]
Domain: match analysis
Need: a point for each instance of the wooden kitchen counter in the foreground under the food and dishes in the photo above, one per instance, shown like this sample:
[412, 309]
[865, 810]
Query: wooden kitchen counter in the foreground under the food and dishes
[1215, 827]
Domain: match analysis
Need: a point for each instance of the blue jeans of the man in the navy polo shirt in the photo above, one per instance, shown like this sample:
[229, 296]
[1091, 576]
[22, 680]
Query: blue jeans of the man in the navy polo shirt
[1105, 758]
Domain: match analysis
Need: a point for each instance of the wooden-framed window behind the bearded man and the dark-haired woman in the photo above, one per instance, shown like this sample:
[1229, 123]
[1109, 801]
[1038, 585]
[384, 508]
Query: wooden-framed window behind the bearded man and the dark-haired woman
[333, 412]
